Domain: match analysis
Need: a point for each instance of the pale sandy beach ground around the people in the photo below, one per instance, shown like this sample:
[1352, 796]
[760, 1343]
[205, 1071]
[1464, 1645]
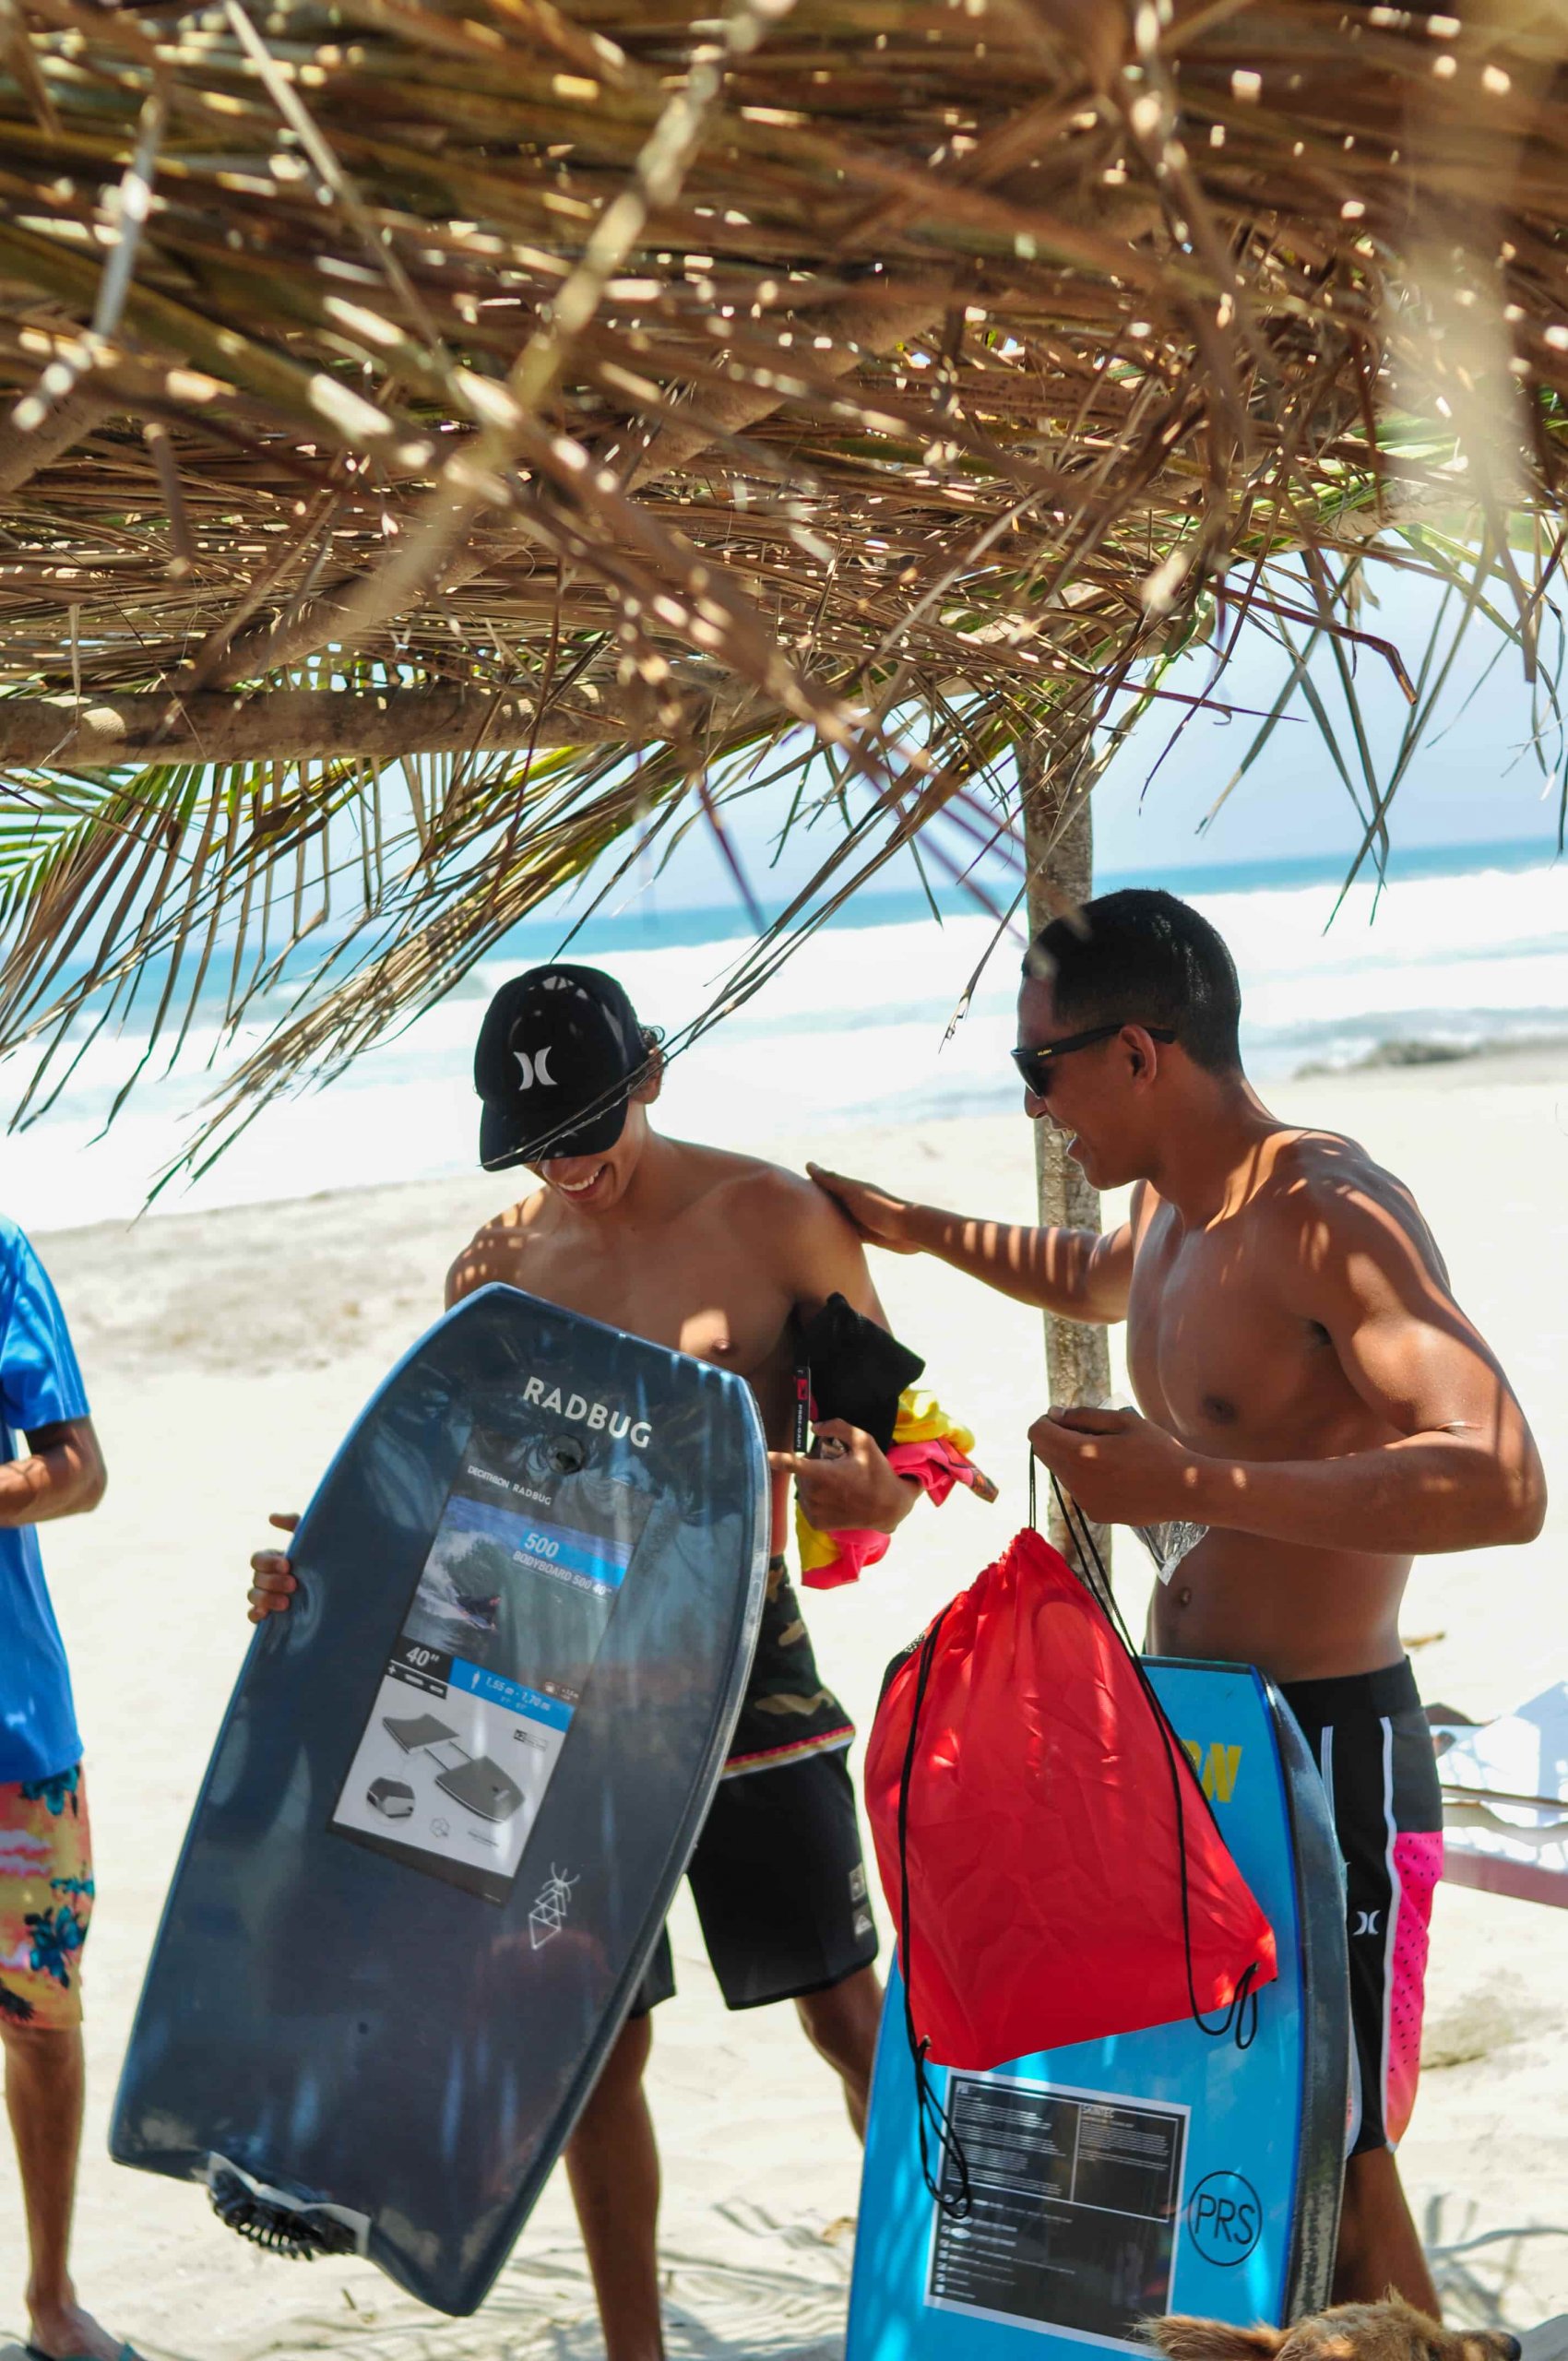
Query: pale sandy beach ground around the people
[228, 1352]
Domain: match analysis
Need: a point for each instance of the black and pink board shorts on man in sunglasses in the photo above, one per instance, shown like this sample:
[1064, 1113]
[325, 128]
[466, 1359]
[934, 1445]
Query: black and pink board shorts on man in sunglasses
[1373, 1746]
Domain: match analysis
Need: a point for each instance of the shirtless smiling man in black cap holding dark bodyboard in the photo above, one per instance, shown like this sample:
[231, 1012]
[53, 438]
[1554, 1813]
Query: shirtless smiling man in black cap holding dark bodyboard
[712, 1255]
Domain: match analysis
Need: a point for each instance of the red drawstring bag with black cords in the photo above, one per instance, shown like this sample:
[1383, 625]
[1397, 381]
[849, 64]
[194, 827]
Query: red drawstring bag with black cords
[1043, 1838]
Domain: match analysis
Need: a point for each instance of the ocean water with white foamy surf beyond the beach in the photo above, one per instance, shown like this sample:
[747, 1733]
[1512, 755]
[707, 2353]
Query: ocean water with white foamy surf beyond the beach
[1463, 948]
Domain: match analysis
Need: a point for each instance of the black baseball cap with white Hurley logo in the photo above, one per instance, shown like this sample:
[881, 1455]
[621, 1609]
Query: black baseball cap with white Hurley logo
[554, 1066]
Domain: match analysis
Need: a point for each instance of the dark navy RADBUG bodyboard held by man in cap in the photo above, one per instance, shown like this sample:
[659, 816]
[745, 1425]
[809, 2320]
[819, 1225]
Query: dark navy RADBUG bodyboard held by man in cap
[455, 1793]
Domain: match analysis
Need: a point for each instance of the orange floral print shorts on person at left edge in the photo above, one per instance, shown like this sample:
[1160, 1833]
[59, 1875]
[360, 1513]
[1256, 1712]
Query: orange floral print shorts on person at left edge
[46, 1899]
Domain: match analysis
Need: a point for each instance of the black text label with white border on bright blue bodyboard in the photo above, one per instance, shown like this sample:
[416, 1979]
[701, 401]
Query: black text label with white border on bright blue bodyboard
[1076, 2202]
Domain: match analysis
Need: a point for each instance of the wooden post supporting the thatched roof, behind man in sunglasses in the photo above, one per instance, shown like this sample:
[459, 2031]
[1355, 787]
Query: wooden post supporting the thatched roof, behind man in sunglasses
[1059, 846]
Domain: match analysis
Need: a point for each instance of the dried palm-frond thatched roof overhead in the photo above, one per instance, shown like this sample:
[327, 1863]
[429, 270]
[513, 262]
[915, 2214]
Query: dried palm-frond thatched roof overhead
[514, 386]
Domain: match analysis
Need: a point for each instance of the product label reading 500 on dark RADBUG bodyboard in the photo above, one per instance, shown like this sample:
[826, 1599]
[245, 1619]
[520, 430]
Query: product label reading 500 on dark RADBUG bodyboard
[490, 1663]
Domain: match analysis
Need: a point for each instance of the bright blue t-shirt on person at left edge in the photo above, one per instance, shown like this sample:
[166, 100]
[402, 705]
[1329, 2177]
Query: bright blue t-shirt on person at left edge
[39, 1387]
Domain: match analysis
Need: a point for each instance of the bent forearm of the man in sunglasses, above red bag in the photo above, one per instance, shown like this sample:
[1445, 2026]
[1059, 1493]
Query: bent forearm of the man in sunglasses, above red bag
[1411, 1498]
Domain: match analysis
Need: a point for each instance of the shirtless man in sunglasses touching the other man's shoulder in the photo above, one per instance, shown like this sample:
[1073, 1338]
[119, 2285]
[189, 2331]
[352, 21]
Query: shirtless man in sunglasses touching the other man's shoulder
[1314, 1404]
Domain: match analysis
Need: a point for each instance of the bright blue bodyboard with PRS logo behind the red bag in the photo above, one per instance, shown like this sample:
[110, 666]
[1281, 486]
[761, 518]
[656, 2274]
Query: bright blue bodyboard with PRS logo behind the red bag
[1146, 2173]
